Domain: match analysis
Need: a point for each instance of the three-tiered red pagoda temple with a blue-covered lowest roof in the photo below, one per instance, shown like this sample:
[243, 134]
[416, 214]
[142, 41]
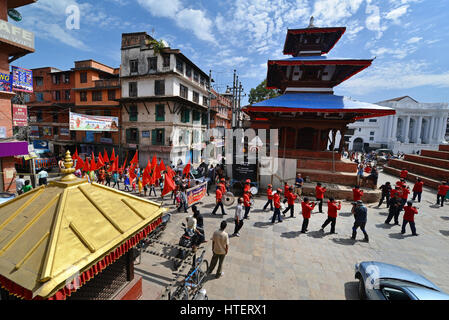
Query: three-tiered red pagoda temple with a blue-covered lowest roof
[308, 114]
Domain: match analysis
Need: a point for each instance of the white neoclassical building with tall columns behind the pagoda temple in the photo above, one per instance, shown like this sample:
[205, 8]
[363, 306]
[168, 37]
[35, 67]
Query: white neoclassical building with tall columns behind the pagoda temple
[415, 126]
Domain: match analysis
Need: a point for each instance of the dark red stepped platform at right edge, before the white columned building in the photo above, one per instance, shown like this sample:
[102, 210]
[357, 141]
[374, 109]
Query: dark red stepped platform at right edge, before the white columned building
[431, 166]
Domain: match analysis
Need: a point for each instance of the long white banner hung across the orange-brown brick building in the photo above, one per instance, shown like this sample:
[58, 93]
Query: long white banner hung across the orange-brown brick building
[83, 122]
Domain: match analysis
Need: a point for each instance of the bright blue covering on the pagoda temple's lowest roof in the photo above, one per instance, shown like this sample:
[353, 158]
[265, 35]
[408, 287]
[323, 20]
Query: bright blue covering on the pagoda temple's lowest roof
[318, 101]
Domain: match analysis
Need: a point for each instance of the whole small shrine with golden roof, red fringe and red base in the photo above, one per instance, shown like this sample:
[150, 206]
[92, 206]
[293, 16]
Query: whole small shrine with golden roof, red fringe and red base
[72, 240]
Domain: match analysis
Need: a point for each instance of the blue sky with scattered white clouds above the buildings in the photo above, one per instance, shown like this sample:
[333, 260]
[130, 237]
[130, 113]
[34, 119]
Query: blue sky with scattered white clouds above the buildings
[409, 38]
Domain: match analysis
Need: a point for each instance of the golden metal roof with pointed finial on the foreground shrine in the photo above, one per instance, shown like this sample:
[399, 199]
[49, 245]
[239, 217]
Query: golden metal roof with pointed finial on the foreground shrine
[51, 233]
